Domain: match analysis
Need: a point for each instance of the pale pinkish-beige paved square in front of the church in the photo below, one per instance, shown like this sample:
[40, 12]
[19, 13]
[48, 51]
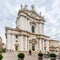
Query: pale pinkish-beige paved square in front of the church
[13, 56]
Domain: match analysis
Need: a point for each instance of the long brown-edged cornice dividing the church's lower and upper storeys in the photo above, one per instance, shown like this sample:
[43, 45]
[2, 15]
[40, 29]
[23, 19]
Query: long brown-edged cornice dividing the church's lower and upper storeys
[22, 32]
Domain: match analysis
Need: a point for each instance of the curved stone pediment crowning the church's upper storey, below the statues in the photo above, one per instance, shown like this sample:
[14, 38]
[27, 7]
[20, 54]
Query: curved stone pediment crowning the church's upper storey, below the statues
[31, 14]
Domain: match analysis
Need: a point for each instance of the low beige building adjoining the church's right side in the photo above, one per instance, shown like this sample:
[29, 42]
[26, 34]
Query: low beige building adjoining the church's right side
[54, 46]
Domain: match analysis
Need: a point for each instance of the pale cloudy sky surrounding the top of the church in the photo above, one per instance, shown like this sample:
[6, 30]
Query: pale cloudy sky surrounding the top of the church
[50, 9]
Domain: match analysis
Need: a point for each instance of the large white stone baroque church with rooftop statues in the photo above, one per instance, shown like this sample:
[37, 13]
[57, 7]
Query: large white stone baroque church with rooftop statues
[29, 32]
